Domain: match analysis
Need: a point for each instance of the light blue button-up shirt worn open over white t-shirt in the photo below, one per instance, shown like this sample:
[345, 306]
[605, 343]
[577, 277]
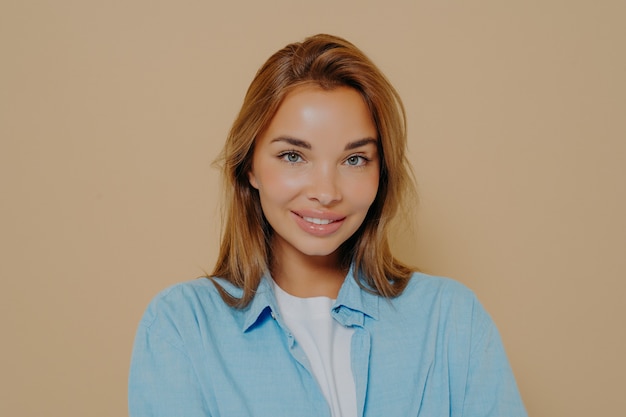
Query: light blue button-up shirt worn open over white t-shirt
[432, 351]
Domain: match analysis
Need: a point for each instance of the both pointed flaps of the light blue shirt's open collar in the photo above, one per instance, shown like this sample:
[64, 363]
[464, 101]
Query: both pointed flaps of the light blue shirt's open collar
[351, 296]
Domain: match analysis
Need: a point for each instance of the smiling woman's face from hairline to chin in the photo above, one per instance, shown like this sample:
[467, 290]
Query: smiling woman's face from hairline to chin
[316, 168]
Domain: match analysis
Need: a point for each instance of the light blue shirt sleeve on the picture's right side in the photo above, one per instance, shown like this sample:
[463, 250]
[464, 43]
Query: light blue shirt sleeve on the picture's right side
[491, 390]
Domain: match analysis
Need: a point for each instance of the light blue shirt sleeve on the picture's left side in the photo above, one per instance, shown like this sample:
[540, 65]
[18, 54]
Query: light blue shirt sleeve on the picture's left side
[162, 380]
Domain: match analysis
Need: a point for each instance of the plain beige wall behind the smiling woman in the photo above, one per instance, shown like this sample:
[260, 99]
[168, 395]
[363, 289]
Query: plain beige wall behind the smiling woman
[111, 112]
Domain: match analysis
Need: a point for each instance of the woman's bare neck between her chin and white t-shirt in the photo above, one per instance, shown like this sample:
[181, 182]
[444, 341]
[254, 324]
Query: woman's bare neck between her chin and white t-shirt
[307, 276]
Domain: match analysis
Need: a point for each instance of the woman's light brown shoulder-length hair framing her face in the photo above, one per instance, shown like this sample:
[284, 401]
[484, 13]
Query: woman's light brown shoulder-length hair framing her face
[328, 62]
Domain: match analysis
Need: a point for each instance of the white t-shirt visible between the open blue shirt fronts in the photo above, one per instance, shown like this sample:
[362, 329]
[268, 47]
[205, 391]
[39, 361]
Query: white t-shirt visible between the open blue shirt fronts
[326, 344]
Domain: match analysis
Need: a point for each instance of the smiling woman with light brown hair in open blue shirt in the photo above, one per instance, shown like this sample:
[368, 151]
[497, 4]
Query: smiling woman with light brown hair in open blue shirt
[307, 312]
